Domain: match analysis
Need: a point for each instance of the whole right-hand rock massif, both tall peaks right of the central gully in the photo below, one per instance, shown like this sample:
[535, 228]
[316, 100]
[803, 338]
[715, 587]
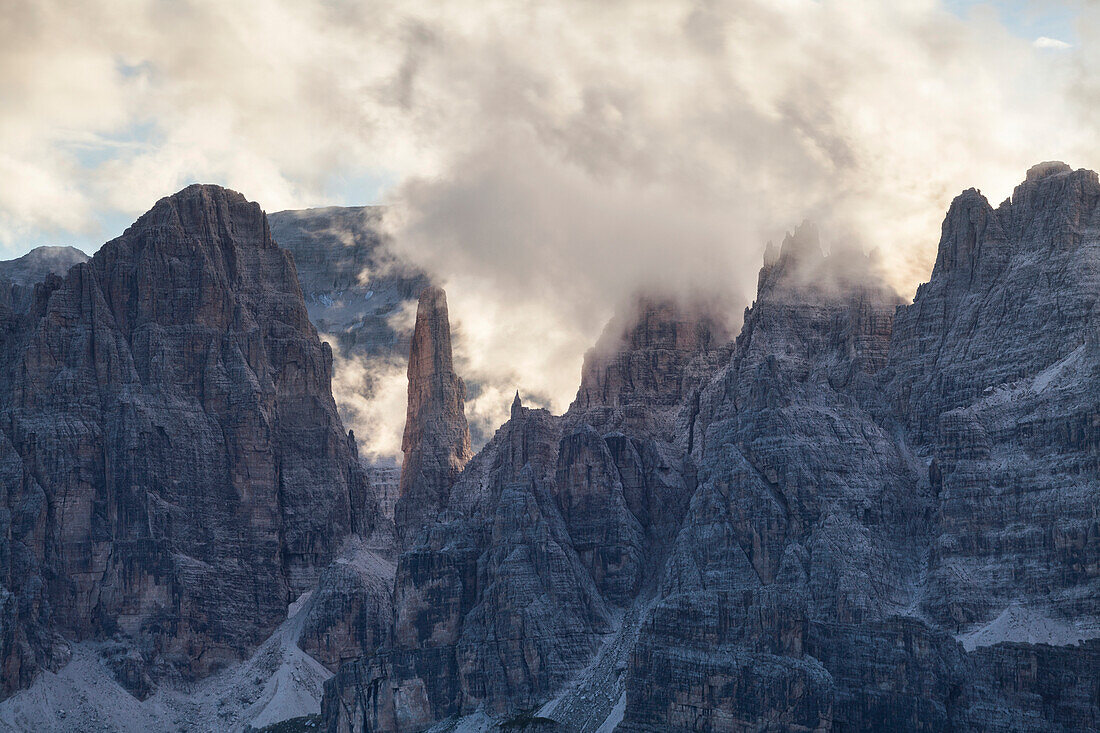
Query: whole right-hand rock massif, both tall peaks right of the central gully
[873, 488]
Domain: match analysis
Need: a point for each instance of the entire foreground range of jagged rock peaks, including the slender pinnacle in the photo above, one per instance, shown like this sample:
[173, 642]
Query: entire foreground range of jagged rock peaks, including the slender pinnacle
[835, 522]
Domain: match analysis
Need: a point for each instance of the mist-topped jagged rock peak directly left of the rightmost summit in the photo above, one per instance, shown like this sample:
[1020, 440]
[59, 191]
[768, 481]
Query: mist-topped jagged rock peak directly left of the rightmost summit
[806, 515]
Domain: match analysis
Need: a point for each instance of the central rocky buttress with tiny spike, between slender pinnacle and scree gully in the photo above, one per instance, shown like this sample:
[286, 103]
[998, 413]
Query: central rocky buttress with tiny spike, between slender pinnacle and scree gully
[548, 546]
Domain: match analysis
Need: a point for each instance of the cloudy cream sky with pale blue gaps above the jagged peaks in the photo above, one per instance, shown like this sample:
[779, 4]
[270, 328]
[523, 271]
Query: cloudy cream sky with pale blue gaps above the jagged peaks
[547, 161]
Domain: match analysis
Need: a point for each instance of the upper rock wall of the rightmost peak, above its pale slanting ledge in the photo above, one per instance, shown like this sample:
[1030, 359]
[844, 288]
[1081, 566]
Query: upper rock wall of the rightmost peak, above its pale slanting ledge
[1014, 292]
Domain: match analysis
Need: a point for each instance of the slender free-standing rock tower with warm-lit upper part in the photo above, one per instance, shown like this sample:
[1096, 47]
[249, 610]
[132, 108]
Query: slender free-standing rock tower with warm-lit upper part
[437, 437]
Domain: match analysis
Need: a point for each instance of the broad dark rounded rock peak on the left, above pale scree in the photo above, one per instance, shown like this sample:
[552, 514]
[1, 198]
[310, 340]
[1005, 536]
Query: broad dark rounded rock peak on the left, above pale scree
[174, 469]
